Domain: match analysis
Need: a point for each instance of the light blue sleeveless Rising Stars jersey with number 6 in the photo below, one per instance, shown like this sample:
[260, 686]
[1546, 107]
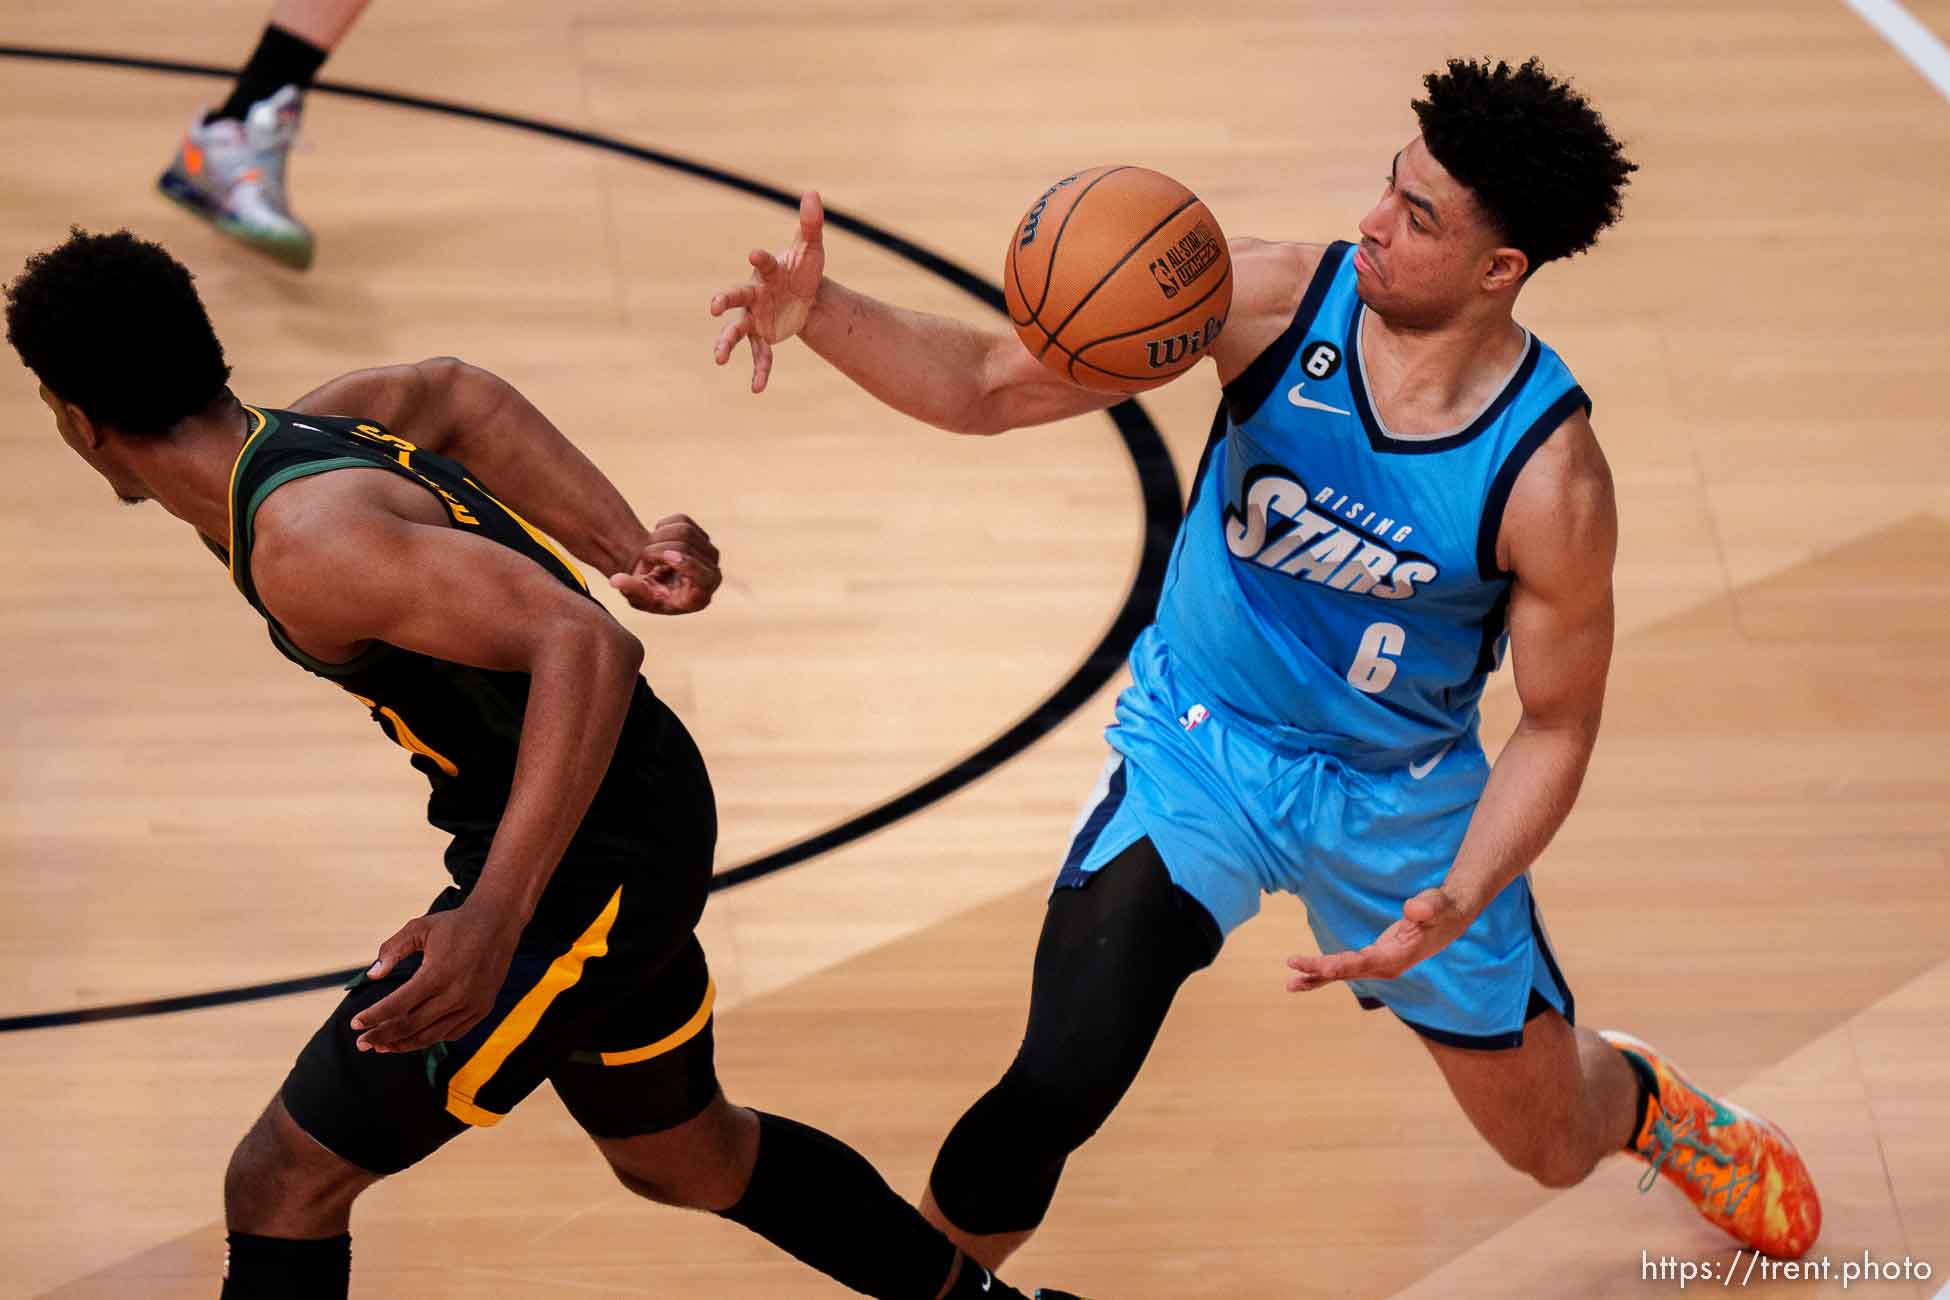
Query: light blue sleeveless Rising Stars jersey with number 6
[1337, 582]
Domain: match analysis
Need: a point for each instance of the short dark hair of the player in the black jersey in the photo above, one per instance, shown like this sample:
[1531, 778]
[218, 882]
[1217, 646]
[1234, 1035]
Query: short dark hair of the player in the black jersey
[114, 325]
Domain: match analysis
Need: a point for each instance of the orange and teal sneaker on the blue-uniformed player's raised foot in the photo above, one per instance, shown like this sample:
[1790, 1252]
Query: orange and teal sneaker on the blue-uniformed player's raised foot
[1736, 1168]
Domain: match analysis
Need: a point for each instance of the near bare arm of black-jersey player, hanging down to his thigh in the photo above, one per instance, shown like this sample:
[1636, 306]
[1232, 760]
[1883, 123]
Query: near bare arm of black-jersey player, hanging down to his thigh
[352, 558]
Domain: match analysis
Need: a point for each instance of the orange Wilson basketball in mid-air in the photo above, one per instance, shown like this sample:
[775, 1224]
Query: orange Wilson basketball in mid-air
[1118, 280]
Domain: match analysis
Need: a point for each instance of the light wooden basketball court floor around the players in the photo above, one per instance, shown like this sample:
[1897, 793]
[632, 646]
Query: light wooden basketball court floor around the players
[1758, 876]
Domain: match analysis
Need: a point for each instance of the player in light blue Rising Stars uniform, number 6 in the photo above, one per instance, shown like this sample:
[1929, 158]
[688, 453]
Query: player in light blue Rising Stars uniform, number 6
[1401, 482]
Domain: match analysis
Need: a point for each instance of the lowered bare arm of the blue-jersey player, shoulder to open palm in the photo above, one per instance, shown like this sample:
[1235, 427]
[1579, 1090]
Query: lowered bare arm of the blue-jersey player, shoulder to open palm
[1561, 533]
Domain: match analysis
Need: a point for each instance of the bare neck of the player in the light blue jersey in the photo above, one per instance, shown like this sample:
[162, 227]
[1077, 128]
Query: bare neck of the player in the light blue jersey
[1436, 373]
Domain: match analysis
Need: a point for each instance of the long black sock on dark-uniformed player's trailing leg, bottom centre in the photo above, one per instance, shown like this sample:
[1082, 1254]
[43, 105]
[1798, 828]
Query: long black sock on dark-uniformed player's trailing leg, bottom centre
[822, 1204]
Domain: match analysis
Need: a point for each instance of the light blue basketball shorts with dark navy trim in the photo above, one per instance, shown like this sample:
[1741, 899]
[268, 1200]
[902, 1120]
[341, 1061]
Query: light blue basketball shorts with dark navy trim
[1233, 816]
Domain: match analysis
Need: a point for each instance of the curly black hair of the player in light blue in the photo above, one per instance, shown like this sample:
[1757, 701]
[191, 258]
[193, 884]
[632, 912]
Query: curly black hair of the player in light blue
[1538, 157]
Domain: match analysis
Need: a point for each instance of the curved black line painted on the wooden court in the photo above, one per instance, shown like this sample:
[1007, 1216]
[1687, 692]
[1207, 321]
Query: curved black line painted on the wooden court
[1150, 457]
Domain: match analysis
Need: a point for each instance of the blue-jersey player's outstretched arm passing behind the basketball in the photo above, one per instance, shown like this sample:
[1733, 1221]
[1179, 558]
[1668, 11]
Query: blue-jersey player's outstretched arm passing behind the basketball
[953, 375]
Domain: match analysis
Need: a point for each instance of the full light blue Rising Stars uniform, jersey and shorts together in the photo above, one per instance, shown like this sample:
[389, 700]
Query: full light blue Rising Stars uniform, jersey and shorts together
[1304, 710]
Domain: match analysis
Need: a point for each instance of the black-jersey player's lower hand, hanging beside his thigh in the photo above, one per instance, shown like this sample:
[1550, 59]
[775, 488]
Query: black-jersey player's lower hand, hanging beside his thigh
[465, 960]
